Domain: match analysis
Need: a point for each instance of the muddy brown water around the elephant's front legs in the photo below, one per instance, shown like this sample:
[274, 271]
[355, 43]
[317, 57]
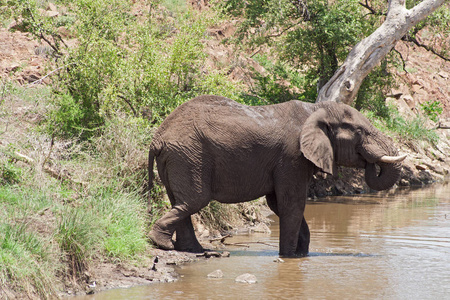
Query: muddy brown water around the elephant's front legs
[365, 247]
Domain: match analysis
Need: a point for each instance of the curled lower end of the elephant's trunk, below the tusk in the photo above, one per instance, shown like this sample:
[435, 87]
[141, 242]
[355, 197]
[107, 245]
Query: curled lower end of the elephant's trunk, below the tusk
[387, 177]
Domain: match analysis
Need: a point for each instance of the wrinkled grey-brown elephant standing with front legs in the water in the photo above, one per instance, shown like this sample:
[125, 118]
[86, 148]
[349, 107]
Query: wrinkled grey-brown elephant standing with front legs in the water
[214, 148]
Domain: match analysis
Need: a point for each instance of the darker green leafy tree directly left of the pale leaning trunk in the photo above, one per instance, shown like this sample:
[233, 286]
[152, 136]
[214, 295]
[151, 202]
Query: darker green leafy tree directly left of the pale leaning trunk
[309, 37]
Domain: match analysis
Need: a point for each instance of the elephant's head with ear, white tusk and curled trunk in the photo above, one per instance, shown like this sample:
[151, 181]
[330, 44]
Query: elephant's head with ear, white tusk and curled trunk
[337, 134]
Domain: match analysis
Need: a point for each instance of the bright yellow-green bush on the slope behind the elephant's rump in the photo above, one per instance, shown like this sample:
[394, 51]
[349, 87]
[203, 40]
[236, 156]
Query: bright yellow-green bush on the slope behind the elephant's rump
[129, 64]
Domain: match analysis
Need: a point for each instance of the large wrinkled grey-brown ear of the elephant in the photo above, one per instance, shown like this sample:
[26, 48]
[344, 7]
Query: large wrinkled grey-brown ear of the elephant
[315, 143]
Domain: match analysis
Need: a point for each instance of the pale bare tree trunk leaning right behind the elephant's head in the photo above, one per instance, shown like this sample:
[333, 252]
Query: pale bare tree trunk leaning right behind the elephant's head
[345, 83]
